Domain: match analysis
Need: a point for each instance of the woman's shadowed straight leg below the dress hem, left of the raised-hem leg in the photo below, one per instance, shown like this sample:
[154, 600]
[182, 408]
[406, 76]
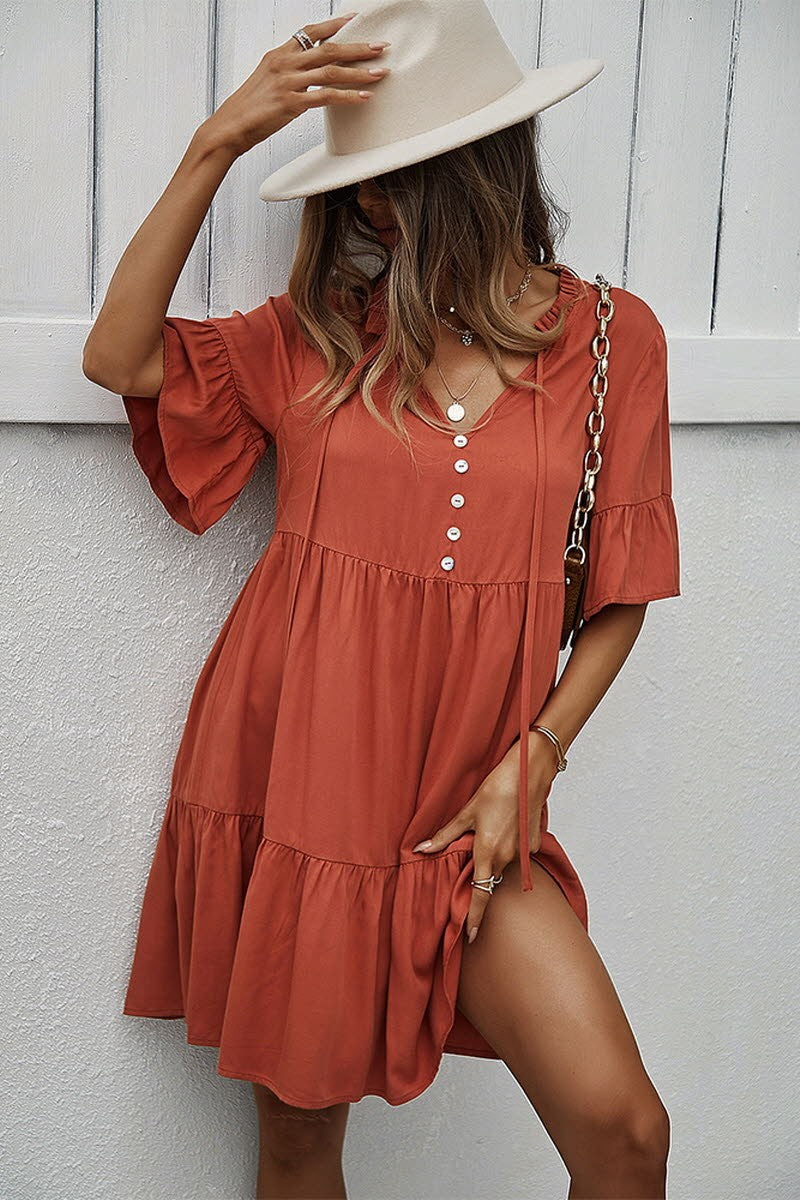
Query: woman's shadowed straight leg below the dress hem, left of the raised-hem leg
[300, 1150]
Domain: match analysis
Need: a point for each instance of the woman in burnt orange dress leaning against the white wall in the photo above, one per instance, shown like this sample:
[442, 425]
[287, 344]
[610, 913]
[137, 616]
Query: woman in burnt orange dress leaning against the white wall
[345, 806]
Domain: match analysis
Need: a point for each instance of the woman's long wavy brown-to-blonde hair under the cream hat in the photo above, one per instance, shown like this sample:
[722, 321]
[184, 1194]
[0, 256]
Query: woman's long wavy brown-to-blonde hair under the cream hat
[458, 217]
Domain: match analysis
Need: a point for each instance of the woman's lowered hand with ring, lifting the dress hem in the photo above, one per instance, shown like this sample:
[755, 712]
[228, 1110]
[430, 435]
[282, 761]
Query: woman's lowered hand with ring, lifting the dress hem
[492, 812]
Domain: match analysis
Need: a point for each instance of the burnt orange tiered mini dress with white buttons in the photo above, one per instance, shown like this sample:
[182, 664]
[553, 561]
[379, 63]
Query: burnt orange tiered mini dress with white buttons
[399, 633]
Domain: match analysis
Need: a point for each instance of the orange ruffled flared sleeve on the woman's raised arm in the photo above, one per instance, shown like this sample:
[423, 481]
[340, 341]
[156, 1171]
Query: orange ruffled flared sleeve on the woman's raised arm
[226, 383]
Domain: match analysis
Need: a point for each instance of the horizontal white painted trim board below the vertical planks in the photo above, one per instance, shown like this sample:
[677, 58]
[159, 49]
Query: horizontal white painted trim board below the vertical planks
[712, 380]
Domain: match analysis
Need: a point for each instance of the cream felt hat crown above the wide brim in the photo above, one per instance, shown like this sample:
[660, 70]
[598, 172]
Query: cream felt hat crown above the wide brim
[448, 59]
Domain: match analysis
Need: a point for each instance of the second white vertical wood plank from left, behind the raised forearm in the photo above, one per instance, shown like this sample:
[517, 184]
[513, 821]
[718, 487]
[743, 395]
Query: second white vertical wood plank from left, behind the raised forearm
[154, 70]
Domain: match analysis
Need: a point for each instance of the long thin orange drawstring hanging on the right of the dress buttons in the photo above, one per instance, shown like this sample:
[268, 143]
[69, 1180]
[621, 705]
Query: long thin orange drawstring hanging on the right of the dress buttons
[526, 716]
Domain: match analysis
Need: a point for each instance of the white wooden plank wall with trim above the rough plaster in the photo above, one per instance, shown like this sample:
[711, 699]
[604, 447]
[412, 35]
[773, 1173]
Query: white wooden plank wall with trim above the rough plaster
[679, 167]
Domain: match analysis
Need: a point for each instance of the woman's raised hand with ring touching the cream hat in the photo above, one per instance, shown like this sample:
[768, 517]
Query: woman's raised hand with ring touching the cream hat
[276, 91]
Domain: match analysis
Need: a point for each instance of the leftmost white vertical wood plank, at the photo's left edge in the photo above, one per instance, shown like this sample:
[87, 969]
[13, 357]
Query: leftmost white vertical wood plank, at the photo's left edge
[46, 100]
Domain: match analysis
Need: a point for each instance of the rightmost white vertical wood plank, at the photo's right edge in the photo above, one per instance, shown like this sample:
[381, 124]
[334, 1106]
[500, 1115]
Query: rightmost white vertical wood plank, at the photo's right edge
[759, 267]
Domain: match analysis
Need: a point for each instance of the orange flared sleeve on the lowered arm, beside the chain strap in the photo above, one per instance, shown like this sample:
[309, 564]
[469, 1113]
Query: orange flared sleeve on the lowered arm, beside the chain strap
[634, 538]
